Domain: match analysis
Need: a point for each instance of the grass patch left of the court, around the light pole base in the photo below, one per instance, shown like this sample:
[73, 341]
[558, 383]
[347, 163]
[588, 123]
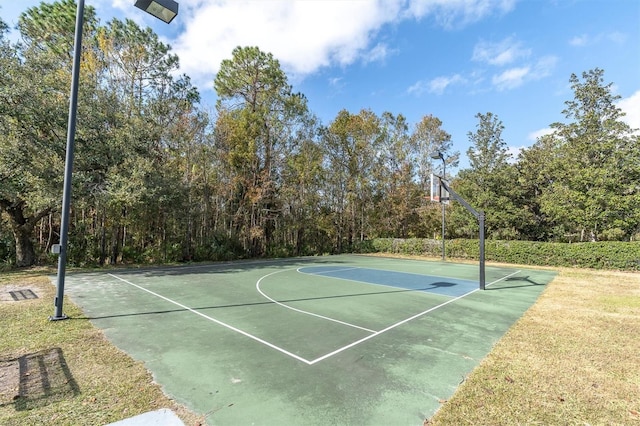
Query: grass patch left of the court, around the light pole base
[66, 372]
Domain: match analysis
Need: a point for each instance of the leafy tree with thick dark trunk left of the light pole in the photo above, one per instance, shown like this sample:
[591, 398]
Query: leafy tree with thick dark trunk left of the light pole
[34, 81]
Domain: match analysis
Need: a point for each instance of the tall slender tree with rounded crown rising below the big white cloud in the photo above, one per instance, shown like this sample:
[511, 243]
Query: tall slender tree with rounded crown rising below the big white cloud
[257, 118]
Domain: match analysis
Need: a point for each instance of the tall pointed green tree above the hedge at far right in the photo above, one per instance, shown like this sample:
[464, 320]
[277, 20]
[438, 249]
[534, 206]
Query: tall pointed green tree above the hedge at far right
[595, 173]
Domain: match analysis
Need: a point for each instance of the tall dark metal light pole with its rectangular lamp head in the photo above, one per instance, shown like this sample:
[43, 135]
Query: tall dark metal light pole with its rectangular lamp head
[164, 10]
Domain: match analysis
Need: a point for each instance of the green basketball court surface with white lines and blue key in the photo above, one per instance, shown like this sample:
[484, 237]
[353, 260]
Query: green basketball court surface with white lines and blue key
[335, 340]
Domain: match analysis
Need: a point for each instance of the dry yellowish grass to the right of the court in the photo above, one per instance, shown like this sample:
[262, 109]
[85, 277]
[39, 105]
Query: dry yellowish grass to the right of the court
[572, 359]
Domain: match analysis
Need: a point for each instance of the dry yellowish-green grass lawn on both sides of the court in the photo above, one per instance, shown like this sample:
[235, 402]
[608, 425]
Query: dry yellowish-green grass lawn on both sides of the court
[572, 359]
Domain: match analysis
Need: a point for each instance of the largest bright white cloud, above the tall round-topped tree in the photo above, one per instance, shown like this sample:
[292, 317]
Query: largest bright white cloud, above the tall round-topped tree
[303, 35]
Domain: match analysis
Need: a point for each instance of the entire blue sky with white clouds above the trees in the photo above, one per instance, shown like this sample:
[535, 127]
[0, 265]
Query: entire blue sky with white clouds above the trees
[448, 58]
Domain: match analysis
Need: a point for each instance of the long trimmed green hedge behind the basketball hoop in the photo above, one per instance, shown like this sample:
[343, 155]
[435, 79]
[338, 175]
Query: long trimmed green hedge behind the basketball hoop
[596, 255]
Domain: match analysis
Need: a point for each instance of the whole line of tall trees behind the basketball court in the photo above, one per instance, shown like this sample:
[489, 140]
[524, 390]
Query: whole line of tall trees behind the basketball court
[158, 177]
